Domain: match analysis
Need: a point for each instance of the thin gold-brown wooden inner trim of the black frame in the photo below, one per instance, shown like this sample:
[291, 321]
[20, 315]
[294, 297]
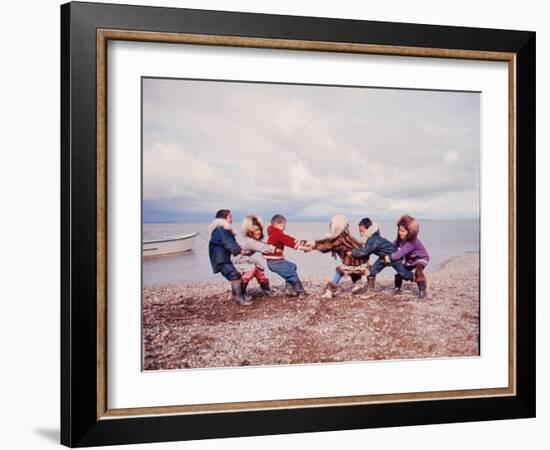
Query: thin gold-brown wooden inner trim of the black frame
[103, 35]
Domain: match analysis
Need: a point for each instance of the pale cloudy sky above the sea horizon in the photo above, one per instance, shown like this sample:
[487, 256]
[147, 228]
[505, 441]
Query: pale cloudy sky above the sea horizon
[307, 152]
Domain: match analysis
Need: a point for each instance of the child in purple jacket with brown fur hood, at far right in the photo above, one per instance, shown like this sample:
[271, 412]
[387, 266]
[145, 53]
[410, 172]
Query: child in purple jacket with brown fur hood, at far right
[411, 249]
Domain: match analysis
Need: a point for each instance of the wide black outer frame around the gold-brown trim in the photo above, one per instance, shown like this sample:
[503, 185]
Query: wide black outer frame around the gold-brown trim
[79, 424]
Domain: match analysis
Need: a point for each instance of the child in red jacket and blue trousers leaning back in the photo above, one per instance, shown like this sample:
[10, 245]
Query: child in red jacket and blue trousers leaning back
[277, 262]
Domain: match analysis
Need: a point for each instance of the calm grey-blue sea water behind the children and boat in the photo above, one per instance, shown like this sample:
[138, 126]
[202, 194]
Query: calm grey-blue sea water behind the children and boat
[443, 239]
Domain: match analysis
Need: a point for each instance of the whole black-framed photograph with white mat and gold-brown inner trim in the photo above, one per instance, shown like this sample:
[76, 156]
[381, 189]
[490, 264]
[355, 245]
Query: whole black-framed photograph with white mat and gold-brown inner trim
[279, 224]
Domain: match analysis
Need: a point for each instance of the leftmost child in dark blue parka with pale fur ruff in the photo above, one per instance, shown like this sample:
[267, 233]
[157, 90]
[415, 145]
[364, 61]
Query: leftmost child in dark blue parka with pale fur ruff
[220, 248]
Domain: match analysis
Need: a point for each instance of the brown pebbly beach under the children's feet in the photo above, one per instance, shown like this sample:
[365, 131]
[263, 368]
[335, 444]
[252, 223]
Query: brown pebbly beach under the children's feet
[198, 326]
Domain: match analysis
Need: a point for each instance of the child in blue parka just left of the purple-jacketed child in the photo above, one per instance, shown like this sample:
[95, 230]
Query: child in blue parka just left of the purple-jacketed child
[379, 246]
